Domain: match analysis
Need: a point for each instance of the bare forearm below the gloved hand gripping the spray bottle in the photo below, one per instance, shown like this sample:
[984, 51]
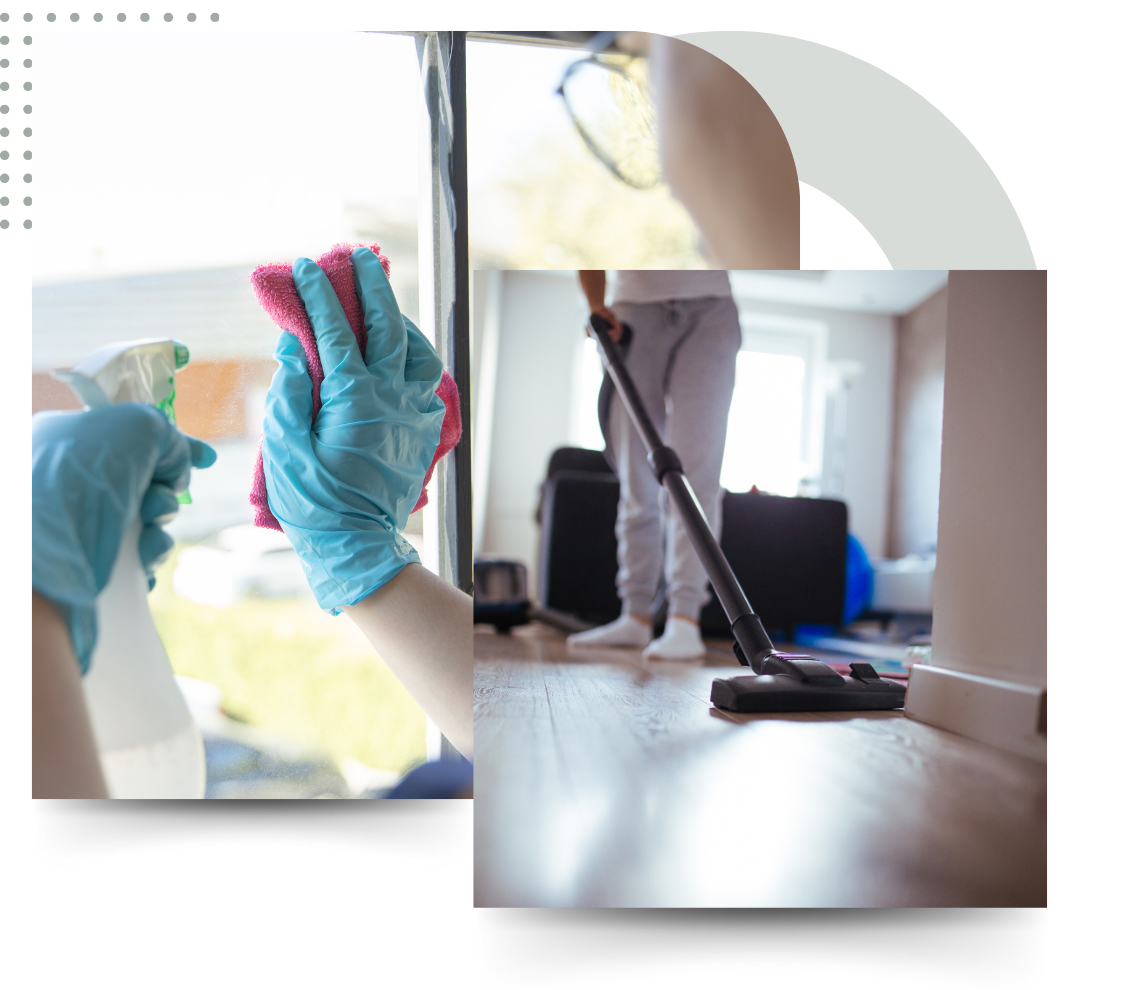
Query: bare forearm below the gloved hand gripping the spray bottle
[65, 754]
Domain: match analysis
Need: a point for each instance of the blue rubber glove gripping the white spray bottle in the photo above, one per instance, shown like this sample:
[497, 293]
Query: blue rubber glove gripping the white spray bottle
[92, 473]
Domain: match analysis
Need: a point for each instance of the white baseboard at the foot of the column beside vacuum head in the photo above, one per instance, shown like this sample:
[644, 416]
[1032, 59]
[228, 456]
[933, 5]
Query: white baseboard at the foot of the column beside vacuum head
[1000, 713]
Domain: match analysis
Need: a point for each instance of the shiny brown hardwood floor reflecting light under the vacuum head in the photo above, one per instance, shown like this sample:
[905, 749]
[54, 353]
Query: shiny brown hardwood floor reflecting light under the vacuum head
[605, 780]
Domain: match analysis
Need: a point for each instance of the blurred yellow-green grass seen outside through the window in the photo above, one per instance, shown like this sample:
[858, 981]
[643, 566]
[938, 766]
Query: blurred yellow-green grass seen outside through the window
[293, 671]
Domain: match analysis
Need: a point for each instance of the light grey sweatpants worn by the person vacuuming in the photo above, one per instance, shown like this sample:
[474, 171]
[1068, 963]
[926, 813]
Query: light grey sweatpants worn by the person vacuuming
[682, 359]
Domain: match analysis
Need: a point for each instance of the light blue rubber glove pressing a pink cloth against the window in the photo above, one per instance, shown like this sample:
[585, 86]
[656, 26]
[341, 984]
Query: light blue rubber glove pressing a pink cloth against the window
[344, 488]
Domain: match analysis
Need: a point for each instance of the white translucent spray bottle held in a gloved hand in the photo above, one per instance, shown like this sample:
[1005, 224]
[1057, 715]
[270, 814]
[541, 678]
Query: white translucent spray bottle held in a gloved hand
[149, 744]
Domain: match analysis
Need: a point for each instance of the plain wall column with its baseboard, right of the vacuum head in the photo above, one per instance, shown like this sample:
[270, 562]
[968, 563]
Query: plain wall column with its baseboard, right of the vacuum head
[988, 677]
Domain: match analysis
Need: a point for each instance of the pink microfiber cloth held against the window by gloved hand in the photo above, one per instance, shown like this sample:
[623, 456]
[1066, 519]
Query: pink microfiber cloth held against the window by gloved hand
[278, 296]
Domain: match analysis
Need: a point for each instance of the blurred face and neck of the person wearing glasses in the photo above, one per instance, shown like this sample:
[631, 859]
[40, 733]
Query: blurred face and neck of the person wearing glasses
[726, 158]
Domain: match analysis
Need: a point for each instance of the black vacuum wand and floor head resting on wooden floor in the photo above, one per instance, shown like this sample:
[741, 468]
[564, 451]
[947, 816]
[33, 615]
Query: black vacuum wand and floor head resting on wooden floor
[781, 682]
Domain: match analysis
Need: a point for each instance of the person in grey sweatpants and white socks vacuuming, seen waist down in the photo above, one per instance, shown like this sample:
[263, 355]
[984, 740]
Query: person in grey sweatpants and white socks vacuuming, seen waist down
[683, 338]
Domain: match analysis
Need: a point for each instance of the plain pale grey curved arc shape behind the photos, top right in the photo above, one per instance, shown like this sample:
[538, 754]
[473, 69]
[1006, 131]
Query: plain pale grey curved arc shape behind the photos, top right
[883, 151]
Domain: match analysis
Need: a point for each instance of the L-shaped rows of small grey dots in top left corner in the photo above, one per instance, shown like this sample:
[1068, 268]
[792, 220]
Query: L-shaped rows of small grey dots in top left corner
[16, 188]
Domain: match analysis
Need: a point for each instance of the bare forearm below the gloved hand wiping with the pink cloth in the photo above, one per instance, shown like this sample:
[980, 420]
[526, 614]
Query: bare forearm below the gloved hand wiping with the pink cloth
[422, 628]
